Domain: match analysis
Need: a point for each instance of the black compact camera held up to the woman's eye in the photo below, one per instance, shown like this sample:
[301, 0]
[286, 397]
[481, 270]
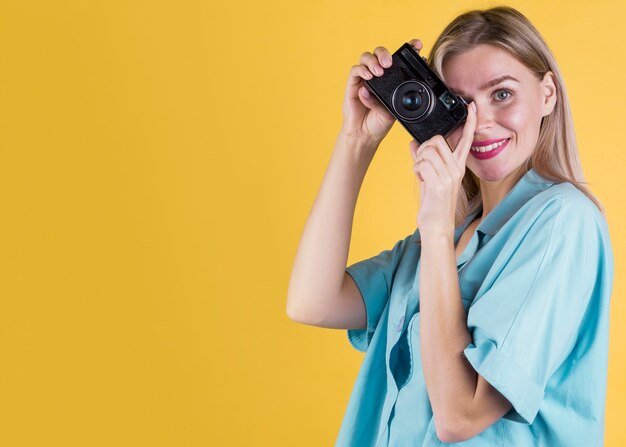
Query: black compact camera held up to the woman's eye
[416, 96]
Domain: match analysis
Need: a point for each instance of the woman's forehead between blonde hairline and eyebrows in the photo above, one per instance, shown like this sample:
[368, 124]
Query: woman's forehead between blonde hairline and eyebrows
[468, 71]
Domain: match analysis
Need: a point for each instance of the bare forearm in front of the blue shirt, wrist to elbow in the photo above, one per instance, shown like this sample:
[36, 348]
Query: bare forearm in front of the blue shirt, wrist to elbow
[450, 379]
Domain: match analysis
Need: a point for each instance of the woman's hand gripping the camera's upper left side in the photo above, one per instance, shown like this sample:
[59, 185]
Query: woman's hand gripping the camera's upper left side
[364, 117]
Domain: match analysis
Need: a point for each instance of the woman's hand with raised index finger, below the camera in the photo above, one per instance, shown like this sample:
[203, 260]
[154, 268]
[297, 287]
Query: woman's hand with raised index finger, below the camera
[440, 172]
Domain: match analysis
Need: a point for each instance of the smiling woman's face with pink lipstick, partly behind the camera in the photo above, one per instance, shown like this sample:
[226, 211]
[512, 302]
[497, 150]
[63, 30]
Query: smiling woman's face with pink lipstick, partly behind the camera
[510, 103]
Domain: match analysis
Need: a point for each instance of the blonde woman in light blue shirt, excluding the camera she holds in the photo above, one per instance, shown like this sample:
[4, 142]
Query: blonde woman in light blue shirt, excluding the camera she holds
[488, 326]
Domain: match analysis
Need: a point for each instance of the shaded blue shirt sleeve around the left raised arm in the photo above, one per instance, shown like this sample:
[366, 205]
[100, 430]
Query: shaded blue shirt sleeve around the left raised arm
[373, 277]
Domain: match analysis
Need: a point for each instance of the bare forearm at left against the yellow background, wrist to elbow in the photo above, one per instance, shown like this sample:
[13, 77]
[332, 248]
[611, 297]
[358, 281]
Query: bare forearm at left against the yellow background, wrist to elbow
[322, 255]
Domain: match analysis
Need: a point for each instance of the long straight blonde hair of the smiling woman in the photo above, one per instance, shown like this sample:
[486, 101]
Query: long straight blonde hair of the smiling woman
[556, 155]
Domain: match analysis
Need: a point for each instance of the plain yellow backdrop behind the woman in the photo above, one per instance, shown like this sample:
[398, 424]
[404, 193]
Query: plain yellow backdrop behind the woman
[158, 162]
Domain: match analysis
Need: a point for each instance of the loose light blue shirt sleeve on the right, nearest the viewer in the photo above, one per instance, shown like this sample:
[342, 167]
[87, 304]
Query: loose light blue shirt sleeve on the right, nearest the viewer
[525, 324]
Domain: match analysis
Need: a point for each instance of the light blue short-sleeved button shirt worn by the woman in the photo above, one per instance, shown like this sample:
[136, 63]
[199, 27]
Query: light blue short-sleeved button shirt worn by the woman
[536, 281]
